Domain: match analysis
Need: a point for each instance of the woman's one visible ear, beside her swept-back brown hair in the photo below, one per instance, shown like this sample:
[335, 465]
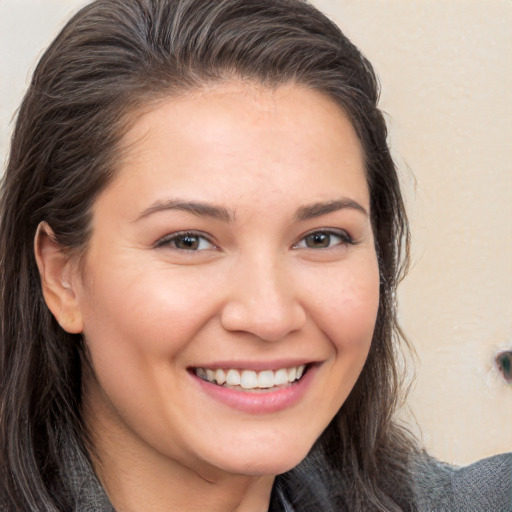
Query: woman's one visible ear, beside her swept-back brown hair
[58, 278]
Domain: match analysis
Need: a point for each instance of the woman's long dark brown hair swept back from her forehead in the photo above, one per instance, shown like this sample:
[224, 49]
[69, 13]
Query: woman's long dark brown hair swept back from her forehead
[113, 58]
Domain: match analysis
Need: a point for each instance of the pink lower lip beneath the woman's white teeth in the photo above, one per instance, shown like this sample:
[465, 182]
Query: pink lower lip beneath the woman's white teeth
[264, 402]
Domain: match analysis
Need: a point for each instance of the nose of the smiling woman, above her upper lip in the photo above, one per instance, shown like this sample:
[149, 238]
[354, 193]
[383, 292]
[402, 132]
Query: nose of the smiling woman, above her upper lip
[262, 300]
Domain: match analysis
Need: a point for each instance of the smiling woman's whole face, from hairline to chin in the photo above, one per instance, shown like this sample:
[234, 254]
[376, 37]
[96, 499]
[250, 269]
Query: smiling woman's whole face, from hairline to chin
[234, 243]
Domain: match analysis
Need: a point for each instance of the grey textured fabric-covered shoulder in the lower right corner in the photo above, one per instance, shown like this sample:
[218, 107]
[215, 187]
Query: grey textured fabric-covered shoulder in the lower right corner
[480, 487]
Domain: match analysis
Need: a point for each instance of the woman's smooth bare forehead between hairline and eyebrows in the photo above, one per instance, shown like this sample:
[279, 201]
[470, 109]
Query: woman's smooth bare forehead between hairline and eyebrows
[240, 138]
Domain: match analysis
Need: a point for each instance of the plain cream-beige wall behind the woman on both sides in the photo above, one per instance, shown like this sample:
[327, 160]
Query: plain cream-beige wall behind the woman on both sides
[447, 82]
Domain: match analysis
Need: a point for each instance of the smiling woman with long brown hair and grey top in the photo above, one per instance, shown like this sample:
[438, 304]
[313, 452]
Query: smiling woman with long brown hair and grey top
[201, 236]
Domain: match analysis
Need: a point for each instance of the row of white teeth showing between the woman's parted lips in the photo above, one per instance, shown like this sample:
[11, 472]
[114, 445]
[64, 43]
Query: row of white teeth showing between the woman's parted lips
[250, 380]
